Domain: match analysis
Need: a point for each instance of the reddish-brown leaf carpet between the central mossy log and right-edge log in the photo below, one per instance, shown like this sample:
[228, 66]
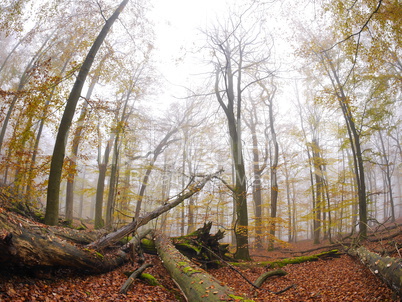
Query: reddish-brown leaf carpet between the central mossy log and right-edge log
[337, 279]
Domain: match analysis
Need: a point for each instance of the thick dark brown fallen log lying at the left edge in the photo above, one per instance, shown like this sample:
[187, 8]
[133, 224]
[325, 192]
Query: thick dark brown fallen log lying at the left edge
[29, 244]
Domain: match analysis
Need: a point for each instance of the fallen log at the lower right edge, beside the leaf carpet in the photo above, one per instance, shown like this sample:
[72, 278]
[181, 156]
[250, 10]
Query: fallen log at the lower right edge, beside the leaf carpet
[386, 268]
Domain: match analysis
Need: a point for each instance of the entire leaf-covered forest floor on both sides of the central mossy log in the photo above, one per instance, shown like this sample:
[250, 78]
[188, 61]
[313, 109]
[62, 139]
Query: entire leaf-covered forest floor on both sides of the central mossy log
[333, 279]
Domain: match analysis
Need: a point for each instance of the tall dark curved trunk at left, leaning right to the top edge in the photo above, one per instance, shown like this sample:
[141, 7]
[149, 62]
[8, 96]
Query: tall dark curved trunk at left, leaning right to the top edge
[56, 166]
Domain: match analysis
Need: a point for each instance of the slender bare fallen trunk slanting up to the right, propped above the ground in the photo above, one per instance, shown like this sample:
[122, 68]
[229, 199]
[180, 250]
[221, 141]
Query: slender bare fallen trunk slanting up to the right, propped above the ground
[135, 224]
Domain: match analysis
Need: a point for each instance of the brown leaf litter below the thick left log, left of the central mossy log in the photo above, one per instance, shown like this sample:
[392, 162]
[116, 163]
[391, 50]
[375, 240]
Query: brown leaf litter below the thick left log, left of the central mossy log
[64, 285]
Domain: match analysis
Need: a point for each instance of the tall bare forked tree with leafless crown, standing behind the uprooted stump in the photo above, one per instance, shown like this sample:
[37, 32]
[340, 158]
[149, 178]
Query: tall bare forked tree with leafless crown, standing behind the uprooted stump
[238, 51]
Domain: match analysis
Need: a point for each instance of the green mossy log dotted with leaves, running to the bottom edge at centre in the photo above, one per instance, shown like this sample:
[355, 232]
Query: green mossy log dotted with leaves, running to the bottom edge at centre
[195, 283]
